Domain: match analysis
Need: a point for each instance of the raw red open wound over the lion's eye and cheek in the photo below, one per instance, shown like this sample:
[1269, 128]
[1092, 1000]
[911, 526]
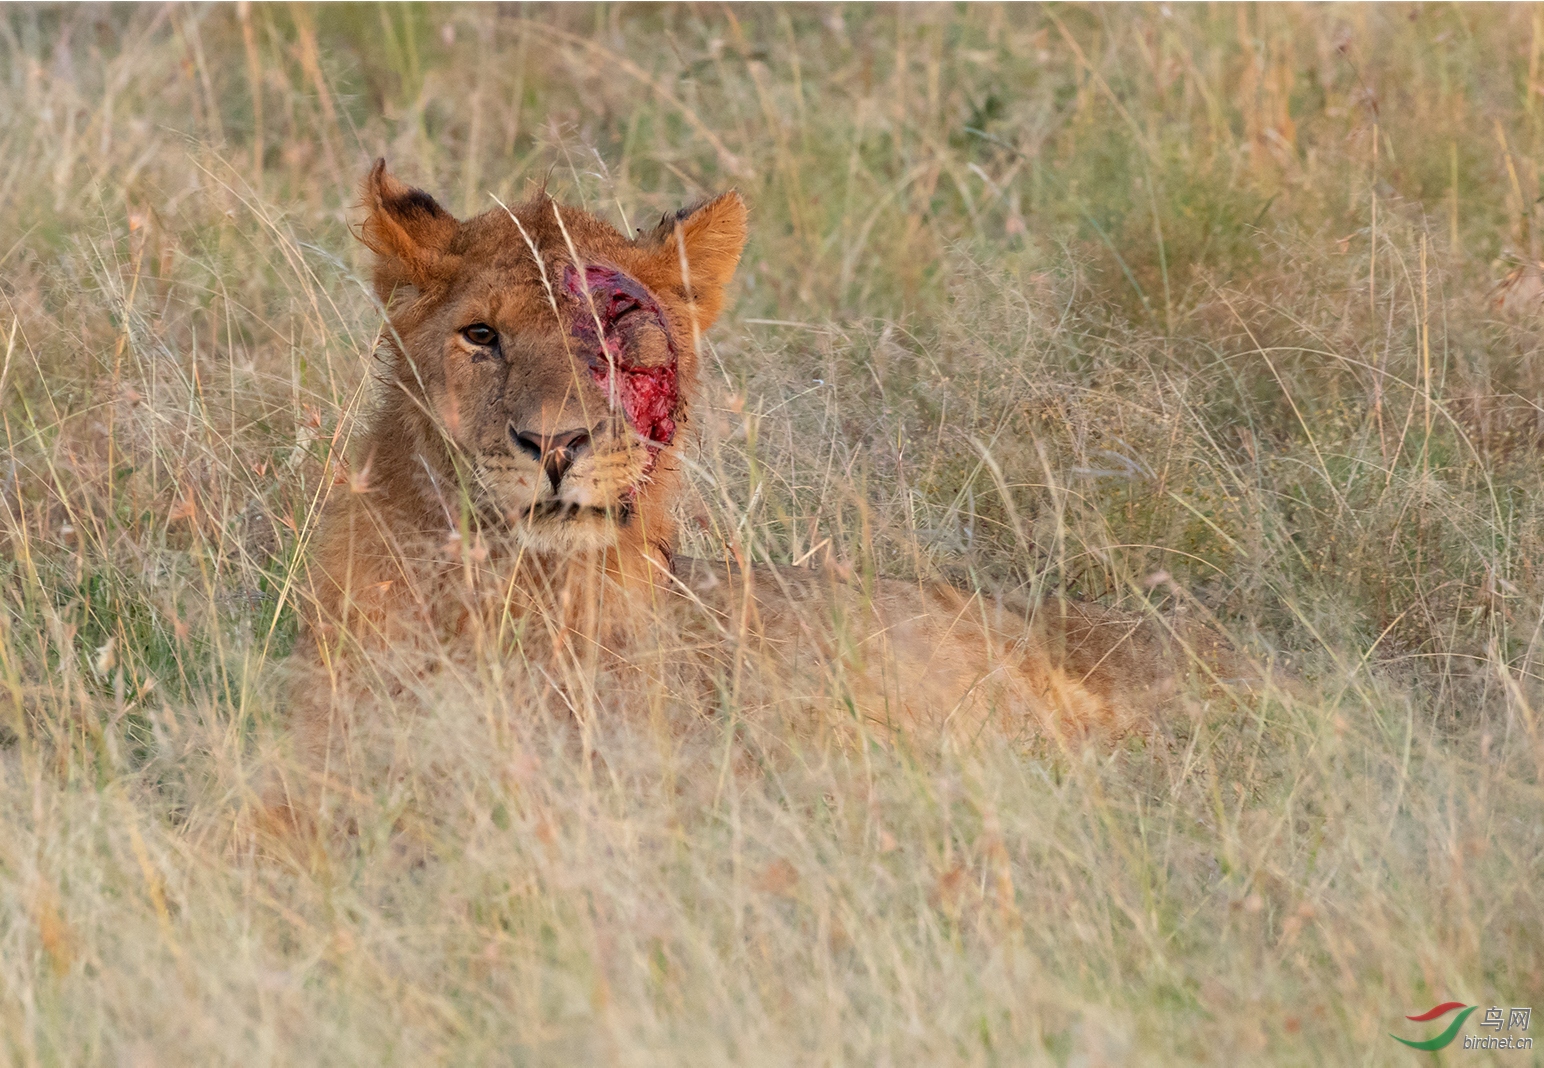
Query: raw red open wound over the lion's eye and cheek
[649, 396]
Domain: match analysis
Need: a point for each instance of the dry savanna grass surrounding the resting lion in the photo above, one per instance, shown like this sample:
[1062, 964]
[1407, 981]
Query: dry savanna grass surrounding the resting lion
[1222, 311]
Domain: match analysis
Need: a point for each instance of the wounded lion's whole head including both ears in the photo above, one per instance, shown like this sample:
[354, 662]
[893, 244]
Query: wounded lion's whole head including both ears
[557, 356]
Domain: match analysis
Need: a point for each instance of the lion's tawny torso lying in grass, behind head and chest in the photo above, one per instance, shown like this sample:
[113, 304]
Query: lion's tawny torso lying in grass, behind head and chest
[929, 657]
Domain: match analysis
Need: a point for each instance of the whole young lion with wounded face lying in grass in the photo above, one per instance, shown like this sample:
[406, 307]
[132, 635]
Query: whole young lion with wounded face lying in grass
[523, 462]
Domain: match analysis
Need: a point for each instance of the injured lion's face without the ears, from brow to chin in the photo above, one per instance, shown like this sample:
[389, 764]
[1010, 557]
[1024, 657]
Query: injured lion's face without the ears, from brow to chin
[566, 404]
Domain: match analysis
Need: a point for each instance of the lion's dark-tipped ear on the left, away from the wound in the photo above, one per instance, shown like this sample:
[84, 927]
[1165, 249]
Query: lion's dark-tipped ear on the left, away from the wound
[408, 232]
